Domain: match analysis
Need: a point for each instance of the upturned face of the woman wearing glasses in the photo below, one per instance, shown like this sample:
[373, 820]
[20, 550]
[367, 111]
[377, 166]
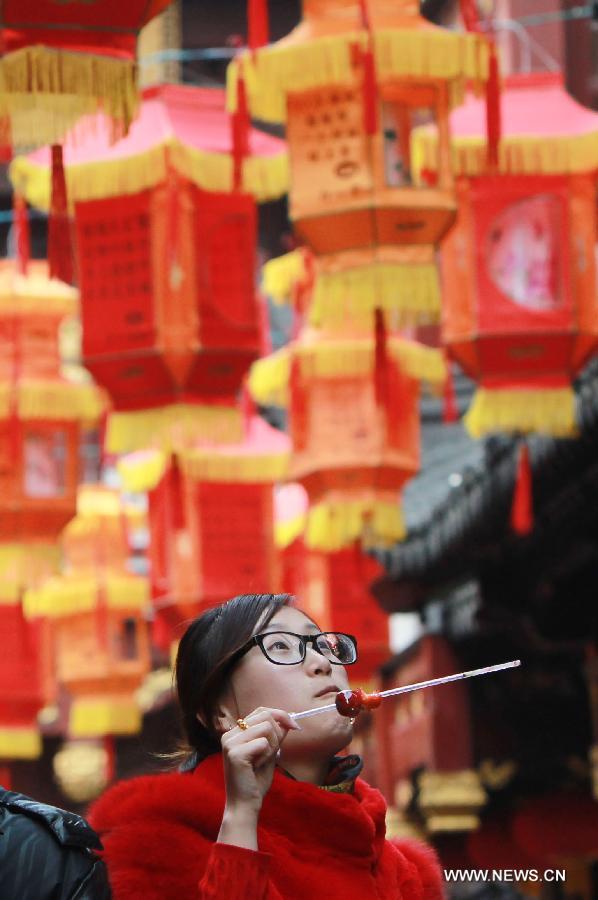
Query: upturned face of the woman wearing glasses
[258, 682]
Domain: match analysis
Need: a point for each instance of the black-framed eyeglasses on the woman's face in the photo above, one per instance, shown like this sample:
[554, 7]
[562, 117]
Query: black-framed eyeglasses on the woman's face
[285, 648]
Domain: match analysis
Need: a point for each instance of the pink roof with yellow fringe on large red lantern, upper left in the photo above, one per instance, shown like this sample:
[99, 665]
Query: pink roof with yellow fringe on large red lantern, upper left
[180, 128]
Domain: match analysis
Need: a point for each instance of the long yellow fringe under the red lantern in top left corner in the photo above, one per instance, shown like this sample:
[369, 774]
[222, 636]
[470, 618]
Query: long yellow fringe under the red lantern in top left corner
[45, 91]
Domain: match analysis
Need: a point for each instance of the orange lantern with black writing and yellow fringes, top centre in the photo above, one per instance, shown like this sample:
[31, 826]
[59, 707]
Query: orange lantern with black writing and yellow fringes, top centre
[351, 87]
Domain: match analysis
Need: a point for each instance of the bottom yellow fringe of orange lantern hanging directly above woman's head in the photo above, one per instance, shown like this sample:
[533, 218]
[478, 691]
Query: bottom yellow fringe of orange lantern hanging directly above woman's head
[334, 525]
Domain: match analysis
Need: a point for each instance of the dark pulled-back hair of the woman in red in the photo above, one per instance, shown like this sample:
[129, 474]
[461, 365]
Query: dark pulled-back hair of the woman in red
[203, 665]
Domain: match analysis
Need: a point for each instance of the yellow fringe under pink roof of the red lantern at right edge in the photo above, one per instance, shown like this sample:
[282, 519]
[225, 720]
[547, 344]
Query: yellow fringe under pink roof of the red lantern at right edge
[518, 155]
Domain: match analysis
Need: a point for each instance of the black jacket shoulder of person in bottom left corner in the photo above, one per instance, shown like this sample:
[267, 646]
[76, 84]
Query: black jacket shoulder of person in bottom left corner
[47, 853]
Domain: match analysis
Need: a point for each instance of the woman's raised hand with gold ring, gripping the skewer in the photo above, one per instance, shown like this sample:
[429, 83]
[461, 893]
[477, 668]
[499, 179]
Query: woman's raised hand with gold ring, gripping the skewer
[250, 758]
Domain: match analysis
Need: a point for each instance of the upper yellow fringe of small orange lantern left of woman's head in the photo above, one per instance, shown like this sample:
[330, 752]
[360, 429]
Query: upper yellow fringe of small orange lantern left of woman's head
[71, 595]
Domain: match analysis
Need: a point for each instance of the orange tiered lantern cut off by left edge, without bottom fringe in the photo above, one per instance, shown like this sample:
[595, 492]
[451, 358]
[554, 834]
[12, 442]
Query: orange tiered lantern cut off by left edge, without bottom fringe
[40, 411]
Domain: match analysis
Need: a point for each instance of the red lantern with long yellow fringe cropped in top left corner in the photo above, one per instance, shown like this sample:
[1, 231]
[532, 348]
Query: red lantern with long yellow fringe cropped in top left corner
[62, 60]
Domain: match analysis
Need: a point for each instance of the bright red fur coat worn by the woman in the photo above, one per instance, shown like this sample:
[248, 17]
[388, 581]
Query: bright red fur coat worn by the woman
[159, 834]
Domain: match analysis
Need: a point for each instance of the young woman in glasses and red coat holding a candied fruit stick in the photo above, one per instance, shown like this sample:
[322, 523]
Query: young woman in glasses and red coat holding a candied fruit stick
[261, 808]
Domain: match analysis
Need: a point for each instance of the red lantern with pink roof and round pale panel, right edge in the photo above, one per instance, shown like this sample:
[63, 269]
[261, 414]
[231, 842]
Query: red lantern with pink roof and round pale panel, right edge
[520, 313]
